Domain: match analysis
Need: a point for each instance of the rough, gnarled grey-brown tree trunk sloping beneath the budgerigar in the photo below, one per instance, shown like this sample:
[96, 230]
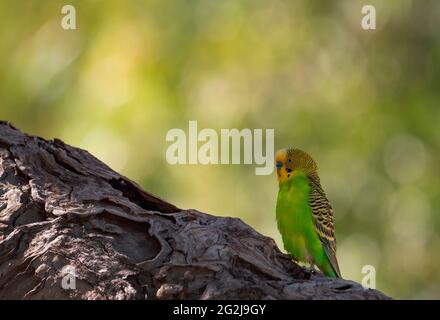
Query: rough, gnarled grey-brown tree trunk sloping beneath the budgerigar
[60, 206]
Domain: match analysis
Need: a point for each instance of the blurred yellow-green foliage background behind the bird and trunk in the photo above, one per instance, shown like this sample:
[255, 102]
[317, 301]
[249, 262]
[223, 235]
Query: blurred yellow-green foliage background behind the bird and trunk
[365, 104]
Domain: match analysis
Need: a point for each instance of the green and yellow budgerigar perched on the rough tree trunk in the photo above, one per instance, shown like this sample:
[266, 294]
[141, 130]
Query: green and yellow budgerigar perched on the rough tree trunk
[304, 214]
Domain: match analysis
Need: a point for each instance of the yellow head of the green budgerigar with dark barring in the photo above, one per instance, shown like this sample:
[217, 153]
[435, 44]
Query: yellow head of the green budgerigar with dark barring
[291, 162]
